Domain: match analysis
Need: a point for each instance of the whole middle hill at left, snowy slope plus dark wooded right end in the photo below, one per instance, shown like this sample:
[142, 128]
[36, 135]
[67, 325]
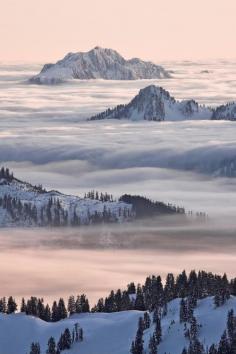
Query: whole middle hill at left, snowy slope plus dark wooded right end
[22, 204]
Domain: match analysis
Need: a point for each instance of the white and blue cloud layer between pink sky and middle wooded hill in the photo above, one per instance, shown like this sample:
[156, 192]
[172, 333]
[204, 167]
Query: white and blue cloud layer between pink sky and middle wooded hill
[46, 138]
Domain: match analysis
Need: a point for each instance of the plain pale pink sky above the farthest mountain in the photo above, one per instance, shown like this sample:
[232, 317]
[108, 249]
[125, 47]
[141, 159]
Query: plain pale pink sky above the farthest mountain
[45, 30]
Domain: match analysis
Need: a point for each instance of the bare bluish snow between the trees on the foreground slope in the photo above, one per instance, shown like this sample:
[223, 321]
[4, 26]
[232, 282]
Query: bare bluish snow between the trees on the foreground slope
[106, 333]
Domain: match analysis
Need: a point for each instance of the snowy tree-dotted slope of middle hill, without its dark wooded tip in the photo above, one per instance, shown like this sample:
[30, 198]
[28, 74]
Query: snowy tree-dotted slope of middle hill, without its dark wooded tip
[22, 204]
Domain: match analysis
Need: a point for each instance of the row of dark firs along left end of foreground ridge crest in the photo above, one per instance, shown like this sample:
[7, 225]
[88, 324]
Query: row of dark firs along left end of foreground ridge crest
[36, 307]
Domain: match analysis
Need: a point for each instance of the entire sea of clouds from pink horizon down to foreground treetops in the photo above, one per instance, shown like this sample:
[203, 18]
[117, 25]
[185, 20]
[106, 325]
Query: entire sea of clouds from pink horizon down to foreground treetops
[45, 138]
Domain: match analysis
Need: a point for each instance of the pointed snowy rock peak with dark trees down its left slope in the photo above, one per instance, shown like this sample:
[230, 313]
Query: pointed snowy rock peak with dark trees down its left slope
[155, 103]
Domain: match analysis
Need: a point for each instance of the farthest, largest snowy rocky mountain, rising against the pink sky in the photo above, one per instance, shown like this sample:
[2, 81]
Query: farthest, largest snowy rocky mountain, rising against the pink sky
[98, 63]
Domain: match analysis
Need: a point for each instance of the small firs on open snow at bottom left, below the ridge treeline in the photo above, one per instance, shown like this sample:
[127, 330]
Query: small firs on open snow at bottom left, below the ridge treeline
[66, 340]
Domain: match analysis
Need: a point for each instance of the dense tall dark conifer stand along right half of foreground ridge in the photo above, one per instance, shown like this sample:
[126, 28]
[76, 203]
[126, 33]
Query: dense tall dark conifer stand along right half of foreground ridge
[154, 294]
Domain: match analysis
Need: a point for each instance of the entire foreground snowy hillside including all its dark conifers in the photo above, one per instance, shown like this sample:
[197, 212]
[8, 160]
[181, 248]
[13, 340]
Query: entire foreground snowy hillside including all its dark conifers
[193, 314]
